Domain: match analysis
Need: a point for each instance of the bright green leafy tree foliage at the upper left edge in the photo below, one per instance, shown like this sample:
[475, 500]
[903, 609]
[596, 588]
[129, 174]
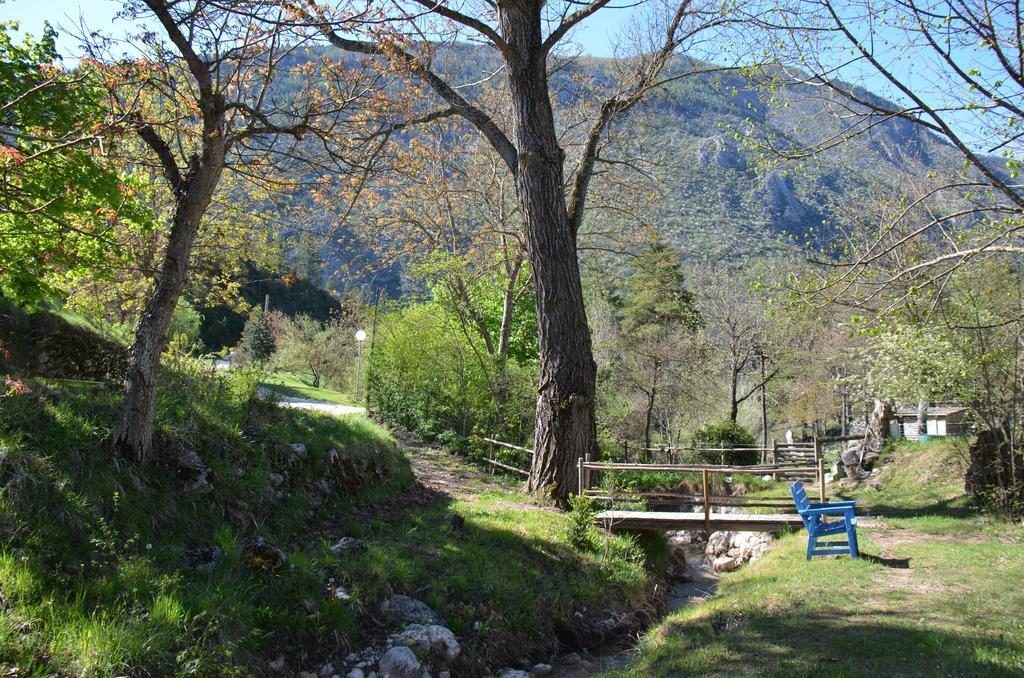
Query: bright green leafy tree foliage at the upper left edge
[61, 203]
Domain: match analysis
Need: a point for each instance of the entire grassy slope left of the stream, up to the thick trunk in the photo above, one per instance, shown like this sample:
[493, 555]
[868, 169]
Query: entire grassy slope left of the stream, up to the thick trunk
[93, 580]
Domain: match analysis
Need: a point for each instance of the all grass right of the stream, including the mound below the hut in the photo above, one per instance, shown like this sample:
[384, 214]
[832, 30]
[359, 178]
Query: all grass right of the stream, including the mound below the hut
[956, 611]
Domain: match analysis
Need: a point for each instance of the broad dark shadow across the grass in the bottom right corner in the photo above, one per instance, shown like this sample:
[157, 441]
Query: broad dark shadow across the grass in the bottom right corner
[831, 644]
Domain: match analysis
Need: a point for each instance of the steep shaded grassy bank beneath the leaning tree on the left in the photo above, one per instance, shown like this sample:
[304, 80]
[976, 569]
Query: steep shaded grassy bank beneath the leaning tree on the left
[92, 570]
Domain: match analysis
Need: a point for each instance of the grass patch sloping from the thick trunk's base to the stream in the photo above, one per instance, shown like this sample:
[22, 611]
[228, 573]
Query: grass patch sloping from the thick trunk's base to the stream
[504, 580]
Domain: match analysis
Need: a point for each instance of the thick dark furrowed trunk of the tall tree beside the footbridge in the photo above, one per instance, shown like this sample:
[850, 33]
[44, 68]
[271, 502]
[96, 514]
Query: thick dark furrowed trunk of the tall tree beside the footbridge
[566, 427]
